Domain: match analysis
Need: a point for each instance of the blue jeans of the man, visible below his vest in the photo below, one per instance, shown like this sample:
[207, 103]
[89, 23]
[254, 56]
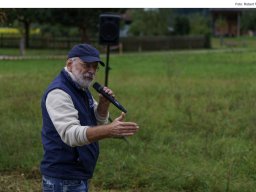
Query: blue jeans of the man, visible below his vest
[51, 184]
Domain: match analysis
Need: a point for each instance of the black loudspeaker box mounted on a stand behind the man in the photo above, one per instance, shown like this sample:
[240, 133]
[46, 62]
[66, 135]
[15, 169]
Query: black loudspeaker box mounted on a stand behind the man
[109, 29]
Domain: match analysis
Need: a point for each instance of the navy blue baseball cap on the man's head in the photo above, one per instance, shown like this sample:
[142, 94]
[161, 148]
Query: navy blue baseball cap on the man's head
[86, 53]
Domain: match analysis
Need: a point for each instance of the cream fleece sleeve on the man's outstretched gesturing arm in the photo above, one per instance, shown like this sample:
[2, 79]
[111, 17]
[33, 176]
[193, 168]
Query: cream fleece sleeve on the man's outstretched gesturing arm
[64, 117]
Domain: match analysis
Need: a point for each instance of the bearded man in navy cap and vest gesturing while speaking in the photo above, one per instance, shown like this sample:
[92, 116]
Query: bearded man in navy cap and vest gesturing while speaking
[73, 122]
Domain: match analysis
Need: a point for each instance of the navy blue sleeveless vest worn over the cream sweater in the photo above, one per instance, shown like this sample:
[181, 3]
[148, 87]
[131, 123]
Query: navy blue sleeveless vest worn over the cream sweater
[60, 160]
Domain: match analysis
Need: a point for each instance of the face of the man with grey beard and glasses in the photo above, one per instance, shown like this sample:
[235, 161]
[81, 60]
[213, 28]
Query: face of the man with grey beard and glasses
[84, 73]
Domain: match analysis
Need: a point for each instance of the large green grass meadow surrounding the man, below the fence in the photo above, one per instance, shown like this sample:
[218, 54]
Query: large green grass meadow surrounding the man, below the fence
[197, 117]
